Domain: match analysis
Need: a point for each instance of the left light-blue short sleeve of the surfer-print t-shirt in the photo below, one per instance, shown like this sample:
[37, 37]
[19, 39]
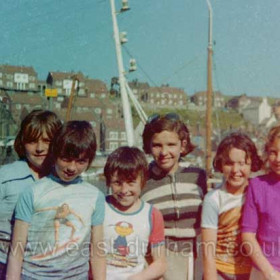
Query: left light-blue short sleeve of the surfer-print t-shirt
[24, 207]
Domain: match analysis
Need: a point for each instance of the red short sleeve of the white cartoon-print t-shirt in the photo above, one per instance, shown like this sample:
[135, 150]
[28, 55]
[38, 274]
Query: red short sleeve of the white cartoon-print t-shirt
[157, 232]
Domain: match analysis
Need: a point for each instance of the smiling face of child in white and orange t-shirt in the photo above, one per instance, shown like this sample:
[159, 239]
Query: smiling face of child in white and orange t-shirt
[236, 170]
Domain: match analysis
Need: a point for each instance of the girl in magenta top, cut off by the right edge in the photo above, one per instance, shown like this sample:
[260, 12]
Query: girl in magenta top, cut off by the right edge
[261, 223]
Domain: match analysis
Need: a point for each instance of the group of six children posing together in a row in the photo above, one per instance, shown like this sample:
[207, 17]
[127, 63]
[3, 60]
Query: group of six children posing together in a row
[54, 225]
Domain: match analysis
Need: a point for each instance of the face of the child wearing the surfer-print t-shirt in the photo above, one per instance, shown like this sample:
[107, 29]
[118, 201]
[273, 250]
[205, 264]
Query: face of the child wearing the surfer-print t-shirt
[68, 169]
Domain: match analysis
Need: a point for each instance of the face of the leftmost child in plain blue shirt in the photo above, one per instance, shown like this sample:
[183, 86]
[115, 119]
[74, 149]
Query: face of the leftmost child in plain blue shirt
[36, 151]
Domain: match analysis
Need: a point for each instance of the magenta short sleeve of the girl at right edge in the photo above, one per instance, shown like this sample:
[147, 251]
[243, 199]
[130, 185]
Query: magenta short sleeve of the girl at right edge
[250, 216]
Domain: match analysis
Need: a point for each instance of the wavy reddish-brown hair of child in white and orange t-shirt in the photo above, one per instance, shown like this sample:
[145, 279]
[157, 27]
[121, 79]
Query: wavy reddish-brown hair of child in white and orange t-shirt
[239, 141]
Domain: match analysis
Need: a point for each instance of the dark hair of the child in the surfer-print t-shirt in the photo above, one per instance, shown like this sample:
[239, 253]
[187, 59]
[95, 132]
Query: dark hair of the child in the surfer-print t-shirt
[75, 139]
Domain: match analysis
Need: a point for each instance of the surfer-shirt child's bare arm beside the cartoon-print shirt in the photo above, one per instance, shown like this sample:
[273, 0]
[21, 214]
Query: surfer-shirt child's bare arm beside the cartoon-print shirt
[97, 254]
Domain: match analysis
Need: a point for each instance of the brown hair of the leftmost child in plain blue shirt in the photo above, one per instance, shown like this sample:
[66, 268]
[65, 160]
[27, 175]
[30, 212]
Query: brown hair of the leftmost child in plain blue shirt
[32, 128]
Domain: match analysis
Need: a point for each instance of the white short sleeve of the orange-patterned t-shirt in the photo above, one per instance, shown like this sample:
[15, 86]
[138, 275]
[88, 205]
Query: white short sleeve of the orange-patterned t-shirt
[210, 212]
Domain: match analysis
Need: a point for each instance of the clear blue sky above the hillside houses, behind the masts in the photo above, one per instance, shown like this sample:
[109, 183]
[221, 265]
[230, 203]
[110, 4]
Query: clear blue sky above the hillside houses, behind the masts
[167, 38]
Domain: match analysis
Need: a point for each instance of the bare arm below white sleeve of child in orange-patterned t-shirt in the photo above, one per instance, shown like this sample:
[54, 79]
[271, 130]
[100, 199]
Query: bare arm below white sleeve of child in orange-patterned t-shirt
[209, 241]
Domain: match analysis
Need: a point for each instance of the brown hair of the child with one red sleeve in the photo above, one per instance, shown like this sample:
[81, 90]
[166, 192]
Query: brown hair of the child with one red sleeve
[127, 163]
